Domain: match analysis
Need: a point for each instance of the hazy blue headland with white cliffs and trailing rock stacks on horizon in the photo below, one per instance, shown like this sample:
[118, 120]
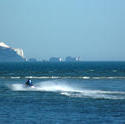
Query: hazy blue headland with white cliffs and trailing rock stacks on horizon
[9, 54]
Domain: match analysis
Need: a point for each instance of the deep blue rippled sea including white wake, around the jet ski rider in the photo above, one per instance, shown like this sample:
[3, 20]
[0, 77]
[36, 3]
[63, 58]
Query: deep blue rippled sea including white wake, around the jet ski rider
[63, 93]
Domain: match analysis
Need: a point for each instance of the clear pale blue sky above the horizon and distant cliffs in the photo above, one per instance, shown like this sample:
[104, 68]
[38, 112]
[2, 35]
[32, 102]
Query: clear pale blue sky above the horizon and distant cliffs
[91, 29]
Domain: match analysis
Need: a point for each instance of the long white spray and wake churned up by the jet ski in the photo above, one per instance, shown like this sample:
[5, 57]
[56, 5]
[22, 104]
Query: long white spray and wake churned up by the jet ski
[69, 90]
